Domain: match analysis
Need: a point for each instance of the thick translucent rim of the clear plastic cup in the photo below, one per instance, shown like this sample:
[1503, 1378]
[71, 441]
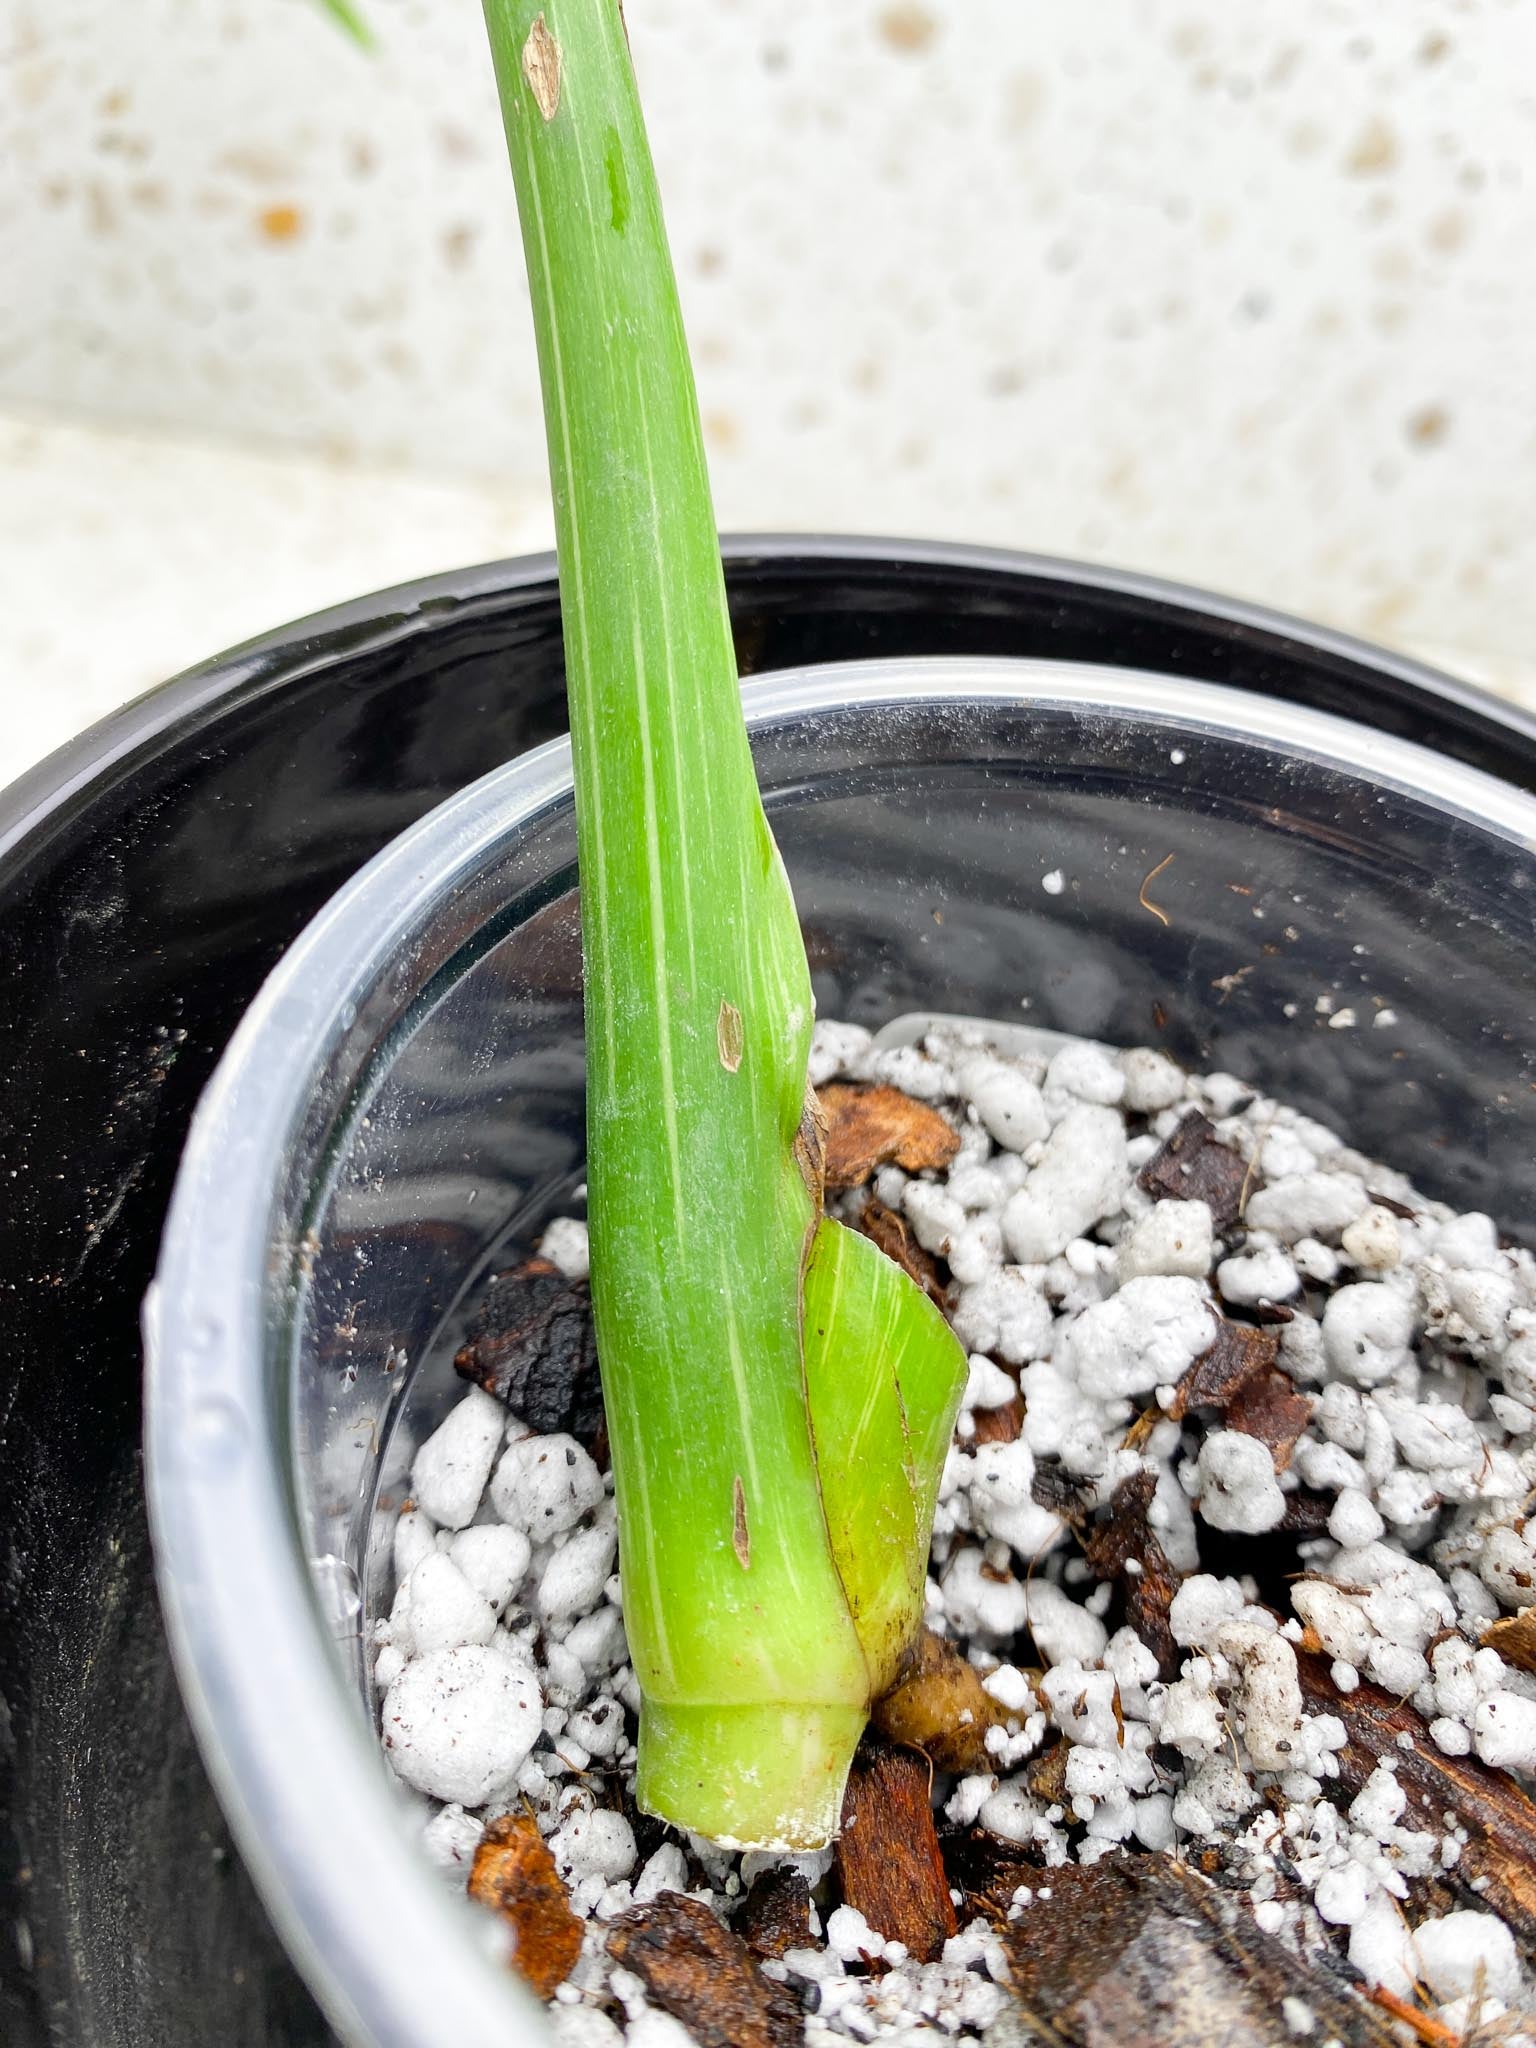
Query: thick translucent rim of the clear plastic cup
[237, 1596]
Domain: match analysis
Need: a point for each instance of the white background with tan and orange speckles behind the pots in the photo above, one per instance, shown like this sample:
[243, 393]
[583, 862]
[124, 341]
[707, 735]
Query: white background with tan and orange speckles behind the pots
[1234, 294]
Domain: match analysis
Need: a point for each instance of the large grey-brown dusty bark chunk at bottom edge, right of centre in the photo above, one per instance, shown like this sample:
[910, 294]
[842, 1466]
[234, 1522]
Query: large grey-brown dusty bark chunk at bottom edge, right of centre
[1144, 1953]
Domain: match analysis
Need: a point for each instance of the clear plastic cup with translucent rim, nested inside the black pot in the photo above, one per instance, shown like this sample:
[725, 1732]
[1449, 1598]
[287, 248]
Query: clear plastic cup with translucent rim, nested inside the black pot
[1332, 914]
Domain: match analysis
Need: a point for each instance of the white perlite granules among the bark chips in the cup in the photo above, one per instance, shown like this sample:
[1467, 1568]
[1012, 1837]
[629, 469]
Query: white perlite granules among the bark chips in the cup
[1392, 1531]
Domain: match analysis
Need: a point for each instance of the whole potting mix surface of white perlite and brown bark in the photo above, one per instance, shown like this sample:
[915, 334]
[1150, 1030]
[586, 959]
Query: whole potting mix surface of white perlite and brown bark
[1224, 1721]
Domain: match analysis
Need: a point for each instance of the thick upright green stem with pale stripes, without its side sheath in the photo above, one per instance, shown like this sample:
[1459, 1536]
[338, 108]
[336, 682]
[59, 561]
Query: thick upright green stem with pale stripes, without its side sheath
[703, 1170]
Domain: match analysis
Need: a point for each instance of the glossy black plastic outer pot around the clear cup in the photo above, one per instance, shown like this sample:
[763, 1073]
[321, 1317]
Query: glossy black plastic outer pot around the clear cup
[148, 880]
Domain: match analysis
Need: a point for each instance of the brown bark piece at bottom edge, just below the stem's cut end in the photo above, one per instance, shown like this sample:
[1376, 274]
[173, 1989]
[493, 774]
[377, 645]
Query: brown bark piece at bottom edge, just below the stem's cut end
[703, 1975]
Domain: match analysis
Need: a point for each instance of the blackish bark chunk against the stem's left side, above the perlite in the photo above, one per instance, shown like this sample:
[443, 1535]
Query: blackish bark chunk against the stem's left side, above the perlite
[534, 1347]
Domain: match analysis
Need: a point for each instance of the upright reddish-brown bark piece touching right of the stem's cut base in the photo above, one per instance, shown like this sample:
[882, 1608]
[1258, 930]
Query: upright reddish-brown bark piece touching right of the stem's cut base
[888, 1852]
